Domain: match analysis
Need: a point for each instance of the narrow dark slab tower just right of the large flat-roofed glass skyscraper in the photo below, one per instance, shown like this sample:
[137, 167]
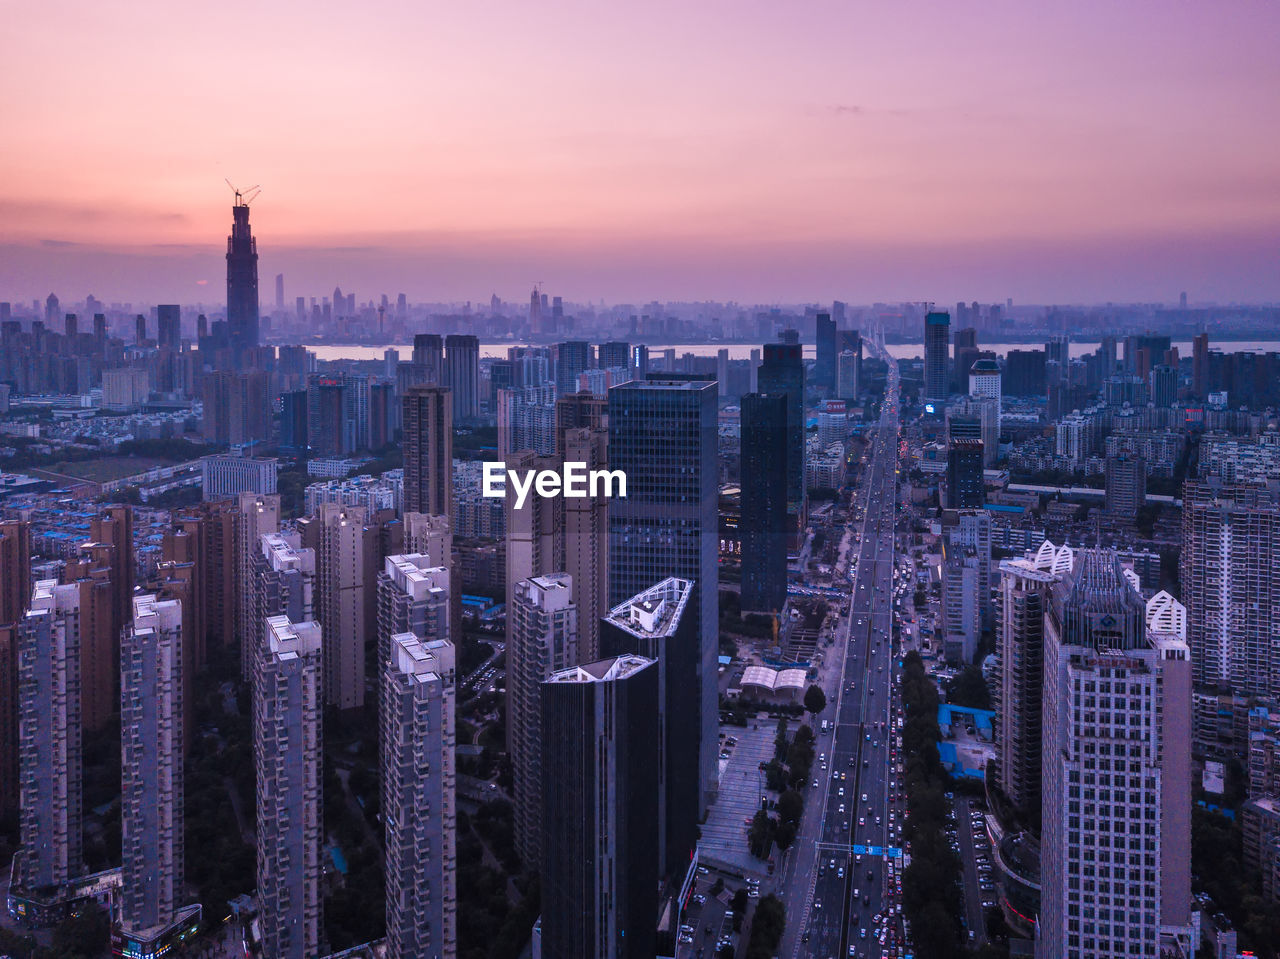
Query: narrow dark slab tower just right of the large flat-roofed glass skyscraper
[765, 508]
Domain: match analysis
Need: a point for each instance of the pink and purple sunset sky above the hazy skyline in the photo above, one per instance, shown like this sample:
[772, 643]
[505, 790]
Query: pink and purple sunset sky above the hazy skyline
[659, 150]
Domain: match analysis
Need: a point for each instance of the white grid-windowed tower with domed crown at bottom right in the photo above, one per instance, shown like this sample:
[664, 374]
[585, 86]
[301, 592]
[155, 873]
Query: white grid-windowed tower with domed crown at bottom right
[1116, 865]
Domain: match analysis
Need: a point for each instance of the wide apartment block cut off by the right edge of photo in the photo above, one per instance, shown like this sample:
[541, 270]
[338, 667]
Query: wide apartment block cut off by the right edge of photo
[1231, 581]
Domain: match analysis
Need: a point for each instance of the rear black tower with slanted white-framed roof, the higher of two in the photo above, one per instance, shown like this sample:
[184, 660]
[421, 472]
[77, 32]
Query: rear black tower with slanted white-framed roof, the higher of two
[655, 624]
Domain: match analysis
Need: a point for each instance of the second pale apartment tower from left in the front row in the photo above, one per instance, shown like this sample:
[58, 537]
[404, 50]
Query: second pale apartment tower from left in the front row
[152, 764]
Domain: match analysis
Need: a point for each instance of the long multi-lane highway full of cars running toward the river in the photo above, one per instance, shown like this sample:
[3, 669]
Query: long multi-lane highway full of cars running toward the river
[839, 878]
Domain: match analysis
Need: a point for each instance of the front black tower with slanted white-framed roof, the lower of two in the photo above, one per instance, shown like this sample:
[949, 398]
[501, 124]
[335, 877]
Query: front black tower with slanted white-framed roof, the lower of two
[600, 865]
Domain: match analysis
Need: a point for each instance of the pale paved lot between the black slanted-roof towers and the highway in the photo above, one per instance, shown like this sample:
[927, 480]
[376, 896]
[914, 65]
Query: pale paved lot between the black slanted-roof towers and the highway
[742, 784]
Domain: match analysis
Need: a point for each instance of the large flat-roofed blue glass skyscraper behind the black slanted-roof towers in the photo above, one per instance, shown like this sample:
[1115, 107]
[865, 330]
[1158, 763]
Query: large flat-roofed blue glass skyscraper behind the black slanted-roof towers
[664, 437]
